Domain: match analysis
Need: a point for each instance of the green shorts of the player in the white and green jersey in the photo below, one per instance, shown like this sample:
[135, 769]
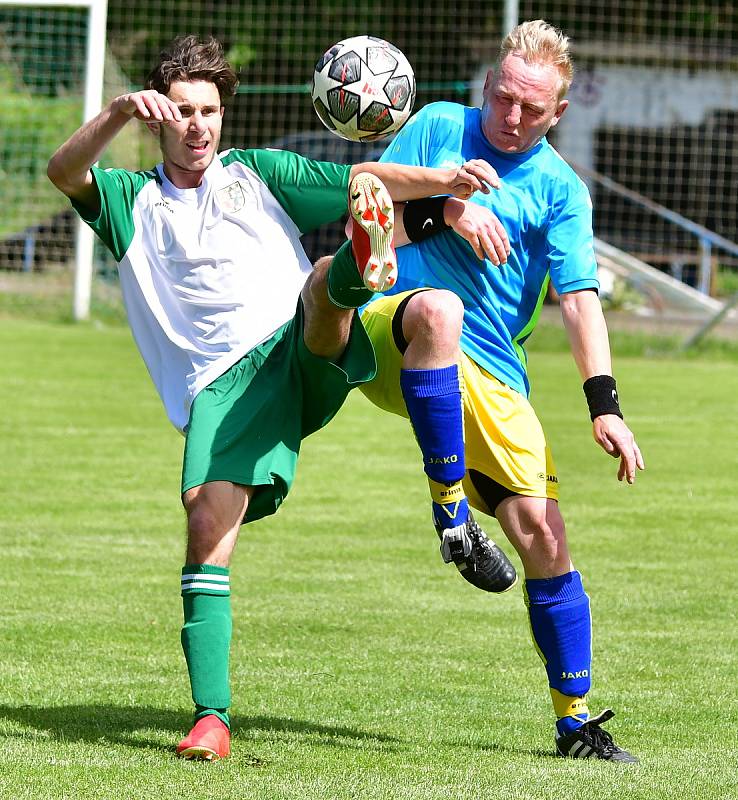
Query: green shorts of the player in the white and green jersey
[247, 425]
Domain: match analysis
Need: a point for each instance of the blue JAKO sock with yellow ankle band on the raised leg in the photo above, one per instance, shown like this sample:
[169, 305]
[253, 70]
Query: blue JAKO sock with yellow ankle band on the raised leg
[433, 401]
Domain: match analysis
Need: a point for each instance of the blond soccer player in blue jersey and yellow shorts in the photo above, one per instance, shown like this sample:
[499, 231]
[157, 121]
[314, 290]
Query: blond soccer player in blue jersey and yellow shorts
[508, 469]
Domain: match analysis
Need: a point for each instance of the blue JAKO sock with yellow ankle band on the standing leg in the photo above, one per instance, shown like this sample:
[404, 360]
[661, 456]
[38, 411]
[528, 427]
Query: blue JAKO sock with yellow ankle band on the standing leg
[561, 626]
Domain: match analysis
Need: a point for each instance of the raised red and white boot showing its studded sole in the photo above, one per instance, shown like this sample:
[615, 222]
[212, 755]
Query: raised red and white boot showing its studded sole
[370, 206]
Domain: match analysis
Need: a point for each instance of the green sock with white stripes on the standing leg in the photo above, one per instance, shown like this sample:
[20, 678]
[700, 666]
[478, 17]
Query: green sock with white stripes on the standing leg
[206, 637]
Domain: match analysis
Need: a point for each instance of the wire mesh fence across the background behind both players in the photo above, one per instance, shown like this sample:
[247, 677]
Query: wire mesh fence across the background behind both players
[654, 104]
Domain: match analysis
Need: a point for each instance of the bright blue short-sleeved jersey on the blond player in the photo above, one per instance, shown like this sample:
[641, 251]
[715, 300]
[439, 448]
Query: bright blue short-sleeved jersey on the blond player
[547, 213]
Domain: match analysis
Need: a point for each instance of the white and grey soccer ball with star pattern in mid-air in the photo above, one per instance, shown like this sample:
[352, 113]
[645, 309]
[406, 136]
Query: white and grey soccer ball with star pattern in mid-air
[363, 89]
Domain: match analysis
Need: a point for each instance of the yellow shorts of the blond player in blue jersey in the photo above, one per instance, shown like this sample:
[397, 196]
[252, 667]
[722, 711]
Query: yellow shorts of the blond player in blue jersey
[503, 438]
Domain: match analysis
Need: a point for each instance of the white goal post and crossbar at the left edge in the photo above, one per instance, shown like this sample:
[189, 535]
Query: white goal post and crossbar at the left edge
[94, 68]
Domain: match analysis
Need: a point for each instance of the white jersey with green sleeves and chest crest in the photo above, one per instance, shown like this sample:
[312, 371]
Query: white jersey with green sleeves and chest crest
[209, 273]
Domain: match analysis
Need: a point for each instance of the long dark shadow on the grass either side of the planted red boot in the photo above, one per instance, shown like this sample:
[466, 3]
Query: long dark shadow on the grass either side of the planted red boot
[131, 726]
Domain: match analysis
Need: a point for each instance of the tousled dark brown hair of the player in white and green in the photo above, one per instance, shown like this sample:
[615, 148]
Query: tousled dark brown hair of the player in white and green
[189, 58]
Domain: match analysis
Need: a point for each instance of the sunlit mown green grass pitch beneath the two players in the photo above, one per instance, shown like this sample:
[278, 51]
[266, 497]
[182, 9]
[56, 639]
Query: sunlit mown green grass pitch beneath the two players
[362, 666]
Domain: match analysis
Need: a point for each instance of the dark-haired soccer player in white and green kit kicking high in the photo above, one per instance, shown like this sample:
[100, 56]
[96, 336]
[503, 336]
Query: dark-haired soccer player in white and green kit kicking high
[251, 347]
